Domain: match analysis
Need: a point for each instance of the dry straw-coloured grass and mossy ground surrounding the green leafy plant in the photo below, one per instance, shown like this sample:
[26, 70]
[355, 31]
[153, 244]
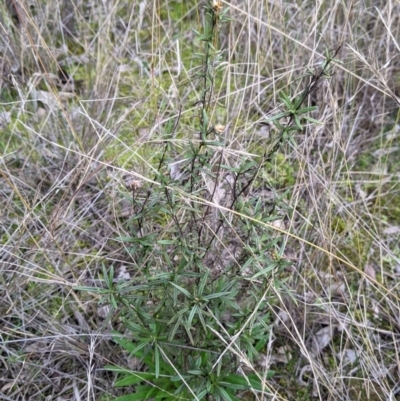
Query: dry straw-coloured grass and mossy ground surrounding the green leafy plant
[67, 149]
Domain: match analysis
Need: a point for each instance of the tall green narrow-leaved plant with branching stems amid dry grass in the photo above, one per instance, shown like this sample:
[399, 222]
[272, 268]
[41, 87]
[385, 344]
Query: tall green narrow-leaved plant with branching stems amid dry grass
[196, 317]
